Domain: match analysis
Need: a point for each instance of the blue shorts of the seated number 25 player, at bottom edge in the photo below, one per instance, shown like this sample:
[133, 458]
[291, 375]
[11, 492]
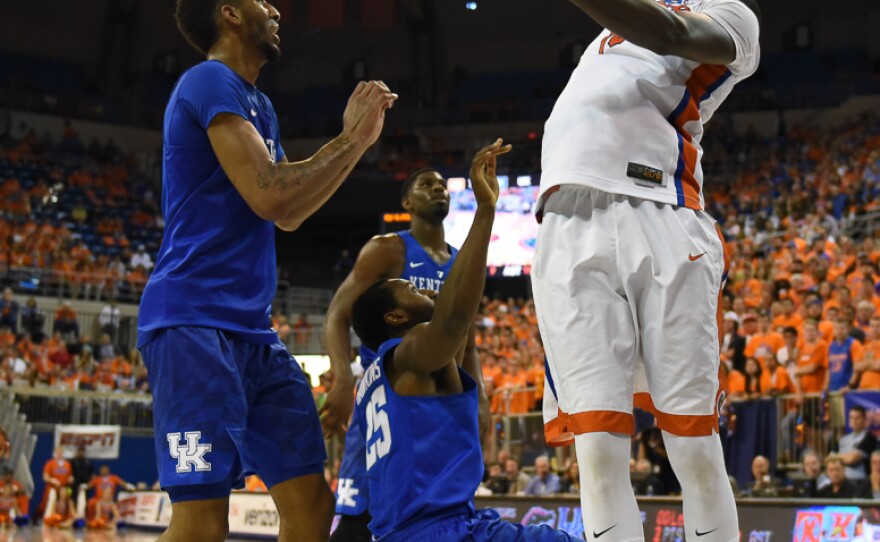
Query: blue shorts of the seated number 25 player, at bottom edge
[480, 526]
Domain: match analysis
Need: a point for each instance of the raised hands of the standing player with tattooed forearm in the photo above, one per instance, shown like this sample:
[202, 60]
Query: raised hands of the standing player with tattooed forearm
[364, 115]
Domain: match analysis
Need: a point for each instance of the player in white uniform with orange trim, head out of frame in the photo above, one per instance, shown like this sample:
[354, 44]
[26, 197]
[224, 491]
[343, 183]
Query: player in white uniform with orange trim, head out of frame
[628, 267]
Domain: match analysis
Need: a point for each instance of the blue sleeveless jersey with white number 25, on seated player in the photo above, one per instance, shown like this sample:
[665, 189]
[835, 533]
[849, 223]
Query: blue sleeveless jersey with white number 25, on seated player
[423, 454]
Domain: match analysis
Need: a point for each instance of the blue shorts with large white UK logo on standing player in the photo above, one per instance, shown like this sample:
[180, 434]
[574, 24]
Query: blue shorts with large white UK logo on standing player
[224, 408]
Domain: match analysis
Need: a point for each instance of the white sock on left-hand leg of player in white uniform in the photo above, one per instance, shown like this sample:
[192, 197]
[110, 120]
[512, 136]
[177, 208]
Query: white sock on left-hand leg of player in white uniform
[608, 504]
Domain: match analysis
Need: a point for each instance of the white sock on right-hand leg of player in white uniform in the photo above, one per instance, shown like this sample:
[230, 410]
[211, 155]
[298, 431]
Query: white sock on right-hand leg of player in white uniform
[709, 507]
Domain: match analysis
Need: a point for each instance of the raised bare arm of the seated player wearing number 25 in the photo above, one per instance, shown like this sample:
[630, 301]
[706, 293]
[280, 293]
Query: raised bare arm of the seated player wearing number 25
[431, 346]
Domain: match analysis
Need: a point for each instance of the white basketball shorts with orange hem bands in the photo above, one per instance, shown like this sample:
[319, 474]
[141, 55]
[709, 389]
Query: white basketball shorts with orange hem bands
[627, 297]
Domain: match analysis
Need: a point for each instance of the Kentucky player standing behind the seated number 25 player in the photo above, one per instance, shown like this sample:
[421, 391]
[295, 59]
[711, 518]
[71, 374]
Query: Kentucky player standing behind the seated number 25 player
[420, 255]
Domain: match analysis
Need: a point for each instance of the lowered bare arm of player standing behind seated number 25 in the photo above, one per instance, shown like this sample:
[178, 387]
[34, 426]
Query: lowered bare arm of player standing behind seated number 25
[381, 257]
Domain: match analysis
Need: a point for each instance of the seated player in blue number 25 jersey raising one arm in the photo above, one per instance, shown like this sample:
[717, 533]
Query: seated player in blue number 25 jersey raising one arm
[418, 407]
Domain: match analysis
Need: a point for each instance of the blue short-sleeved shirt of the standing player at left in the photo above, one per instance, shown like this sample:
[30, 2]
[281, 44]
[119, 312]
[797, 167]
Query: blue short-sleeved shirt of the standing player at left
[216, 266]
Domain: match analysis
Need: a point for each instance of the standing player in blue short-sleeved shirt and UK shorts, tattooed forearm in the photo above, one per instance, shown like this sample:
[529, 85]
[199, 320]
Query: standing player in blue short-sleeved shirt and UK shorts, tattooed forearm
[228, 397]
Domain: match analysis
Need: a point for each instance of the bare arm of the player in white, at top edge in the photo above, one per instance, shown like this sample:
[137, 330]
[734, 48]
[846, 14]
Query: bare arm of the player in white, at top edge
[648, 24]
